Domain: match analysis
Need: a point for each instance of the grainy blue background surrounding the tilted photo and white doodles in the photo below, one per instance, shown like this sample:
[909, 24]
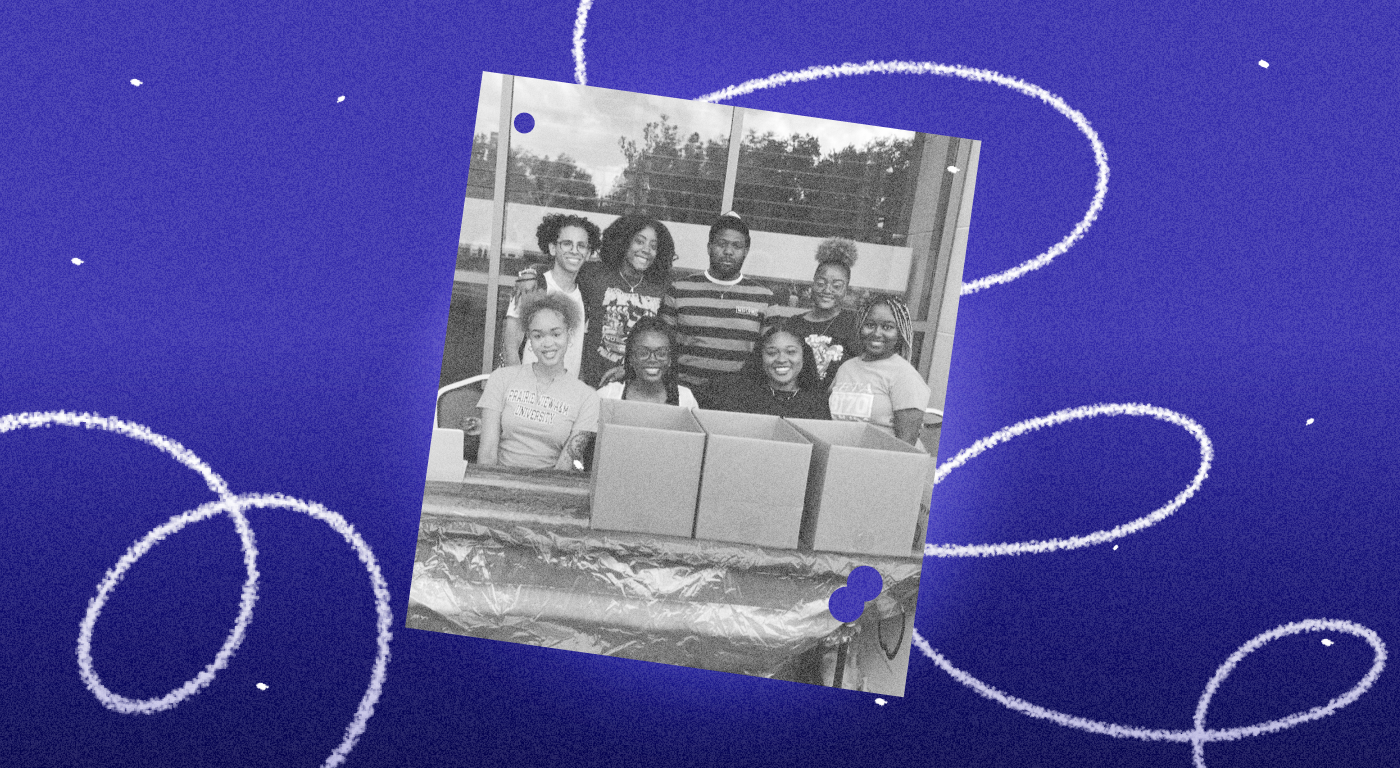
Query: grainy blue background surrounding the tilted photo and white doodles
[267, 276]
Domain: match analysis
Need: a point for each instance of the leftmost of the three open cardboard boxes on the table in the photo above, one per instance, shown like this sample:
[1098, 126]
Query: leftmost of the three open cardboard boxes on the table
[646, 469]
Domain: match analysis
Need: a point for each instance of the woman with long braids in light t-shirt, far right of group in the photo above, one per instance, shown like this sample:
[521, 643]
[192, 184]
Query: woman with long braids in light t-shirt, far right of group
[881, 387]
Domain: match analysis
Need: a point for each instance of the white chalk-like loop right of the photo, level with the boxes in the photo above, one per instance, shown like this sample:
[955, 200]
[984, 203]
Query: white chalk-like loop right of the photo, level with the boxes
[1097, 538]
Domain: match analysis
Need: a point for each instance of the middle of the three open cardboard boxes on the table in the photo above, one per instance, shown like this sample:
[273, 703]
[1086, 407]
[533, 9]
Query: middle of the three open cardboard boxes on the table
[754, 482]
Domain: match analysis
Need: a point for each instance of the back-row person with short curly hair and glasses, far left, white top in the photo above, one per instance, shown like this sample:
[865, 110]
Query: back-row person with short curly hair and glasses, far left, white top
[569, 240]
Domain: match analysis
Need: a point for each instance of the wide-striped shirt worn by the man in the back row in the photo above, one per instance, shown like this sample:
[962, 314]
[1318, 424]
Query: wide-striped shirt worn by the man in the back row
[717, 325]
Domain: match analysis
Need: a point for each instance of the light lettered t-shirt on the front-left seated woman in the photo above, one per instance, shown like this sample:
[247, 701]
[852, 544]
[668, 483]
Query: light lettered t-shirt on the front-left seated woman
[538, 420]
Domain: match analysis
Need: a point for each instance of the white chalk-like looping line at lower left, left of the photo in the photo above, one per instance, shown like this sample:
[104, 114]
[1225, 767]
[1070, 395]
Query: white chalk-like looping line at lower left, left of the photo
[234, 506]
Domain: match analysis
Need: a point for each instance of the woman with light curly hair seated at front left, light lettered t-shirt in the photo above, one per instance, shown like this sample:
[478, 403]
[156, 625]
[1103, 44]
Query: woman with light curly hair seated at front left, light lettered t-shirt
[538, 415]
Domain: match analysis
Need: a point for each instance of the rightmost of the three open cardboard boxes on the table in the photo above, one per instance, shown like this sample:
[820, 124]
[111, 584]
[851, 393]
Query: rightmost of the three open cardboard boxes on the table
[866, 490]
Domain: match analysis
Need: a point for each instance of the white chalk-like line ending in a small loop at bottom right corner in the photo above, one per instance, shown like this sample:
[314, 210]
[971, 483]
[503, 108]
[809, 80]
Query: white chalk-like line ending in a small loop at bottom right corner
[1199, 737]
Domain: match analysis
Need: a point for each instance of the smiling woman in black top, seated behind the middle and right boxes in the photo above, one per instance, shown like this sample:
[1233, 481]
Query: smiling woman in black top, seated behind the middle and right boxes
[778, 380]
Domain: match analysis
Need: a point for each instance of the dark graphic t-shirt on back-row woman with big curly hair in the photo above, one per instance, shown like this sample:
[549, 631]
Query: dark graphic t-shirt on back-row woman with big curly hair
[612, 306]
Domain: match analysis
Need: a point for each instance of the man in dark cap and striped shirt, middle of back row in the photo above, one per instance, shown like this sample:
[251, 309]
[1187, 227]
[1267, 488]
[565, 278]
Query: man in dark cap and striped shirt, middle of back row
[717, 314]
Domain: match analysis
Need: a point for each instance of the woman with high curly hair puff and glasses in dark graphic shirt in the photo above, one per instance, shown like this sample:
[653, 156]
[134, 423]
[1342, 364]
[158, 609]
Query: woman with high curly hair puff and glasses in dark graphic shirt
[832, 332]
